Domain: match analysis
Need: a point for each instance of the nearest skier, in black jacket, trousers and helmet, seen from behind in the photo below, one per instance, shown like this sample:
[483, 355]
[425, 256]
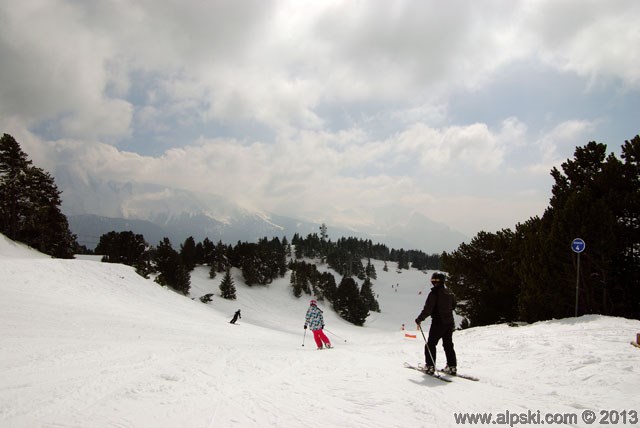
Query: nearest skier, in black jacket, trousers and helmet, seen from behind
[439, 305]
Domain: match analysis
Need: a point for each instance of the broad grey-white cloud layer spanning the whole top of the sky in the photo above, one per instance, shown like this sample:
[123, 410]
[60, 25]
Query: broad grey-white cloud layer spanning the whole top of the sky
[276, 63]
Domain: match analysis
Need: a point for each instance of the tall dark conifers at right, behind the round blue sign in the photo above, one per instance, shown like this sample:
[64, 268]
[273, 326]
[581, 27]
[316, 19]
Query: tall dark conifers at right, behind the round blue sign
[530, 273]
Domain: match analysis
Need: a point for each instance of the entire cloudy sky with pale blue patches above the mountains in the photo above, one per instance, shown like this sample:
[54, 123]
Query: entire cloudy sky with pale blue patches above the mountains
[345, 112]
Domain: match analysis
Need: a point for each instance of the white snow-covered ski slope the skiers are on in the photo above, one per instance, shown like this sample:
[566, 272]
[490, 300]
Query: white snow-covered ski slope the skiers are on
[89, 344]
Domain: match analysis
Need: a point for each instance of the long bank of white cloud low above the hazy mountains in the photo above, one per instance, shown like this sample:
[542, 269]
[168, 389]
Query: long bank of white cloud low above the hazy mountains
[322, 176]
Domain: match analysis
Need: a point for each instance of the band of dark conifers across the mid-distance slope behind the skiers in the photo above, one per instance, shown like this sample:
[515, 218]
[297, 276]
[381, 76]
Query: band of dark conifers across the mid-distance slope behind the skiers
[260, 263]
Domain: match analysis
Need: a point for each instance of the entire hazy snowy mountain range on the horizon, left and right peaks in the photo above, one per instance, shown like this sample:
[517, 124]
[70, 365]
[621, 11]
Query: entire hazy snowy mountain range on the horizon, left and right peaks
[95, 207]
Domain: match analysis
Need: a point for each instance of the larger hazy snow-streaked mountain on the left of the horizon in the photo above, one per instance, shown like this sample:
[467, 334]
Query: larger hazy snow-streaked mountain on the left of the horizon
[95, 207]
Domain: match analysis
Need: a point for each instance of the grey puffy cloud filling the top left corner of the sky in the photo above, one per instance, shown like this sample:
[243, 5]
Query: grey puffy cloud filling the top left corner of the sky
[53, 65]
